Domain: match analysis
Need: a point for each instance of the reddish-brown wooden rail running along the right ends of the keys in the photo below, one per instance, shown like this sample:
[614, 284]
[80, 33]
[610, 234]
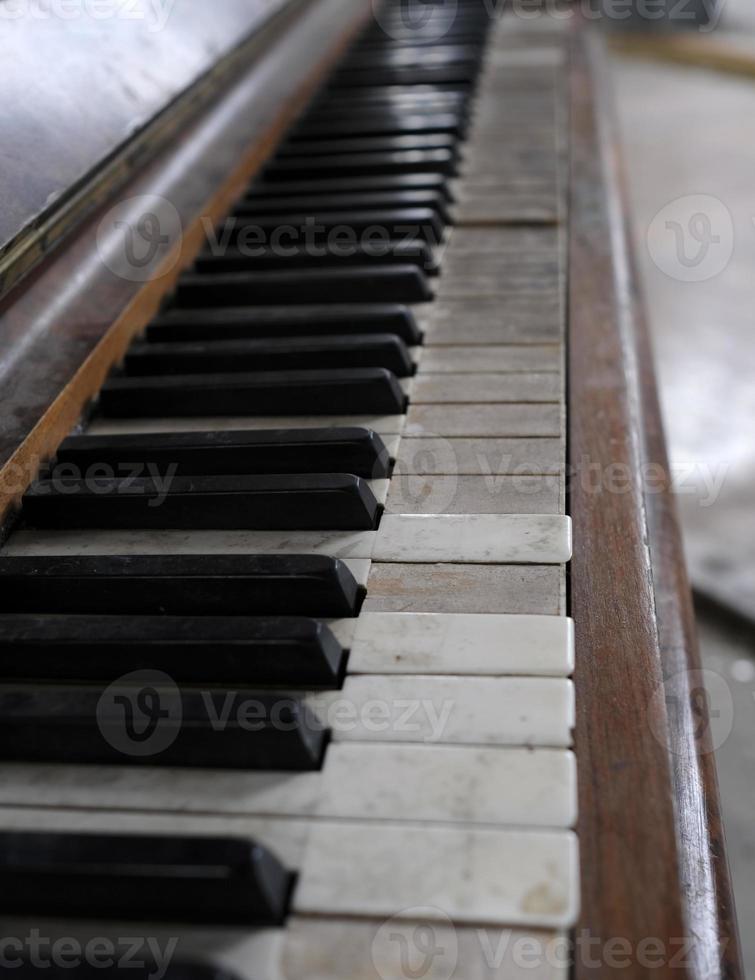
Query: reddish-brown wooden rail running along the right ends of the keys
[653, 856]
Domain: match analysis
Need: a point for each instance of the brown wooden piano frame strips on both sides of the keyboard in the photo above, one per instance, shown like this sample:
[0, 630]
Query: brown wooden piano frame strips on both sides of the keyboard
[653, 857]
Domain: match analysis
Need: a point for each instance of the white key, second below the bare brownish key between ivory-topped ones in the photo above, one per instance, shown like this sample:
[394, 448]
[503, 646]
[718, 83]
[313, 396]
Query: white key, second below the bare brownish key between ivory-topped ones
[528, 711]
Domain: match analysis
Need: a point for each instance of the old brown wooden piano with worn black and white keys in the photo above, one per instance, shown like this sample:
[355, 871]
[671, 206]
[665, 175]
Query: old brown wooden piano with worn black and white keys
[344, 625]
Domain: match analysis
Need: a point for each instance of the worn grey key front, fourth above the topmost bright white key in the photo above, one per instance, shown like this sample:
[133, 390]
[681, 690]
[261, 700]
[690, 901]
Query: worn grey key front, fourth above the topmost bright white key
[488, 388]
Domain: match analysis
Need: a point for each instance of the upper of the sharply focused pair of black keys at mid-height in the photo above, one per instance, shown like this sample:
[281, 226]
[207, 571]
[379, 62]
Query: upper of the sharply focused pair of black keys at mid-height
[329, 450]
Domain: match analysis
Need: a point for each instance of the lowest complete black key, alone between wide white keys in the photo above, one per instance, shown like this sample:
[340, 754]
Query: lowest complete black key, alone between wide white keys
[139, 877]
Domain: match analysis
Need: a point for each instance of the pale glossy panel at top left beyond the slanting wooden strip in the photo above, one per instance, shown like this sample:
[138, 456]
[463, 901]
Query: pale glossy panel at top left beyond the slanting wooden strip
[82, 78]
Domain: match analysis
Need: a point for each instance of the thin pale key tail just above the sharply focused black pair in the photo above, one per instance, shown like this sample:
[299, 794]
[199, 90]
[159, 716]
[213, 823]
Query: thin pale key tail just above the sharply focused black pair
[382, 424]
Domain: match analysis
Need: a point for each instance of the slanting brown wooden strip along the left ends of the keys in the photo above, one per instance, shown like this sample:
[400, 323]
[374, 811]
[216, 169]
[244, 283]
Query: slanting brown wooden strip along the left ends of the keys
[65, 325]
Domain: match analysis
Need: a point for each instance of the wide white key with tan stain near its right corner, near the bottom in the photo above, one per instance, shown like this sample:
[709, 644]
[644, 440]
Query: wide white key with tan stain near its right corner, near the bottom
[505, 877]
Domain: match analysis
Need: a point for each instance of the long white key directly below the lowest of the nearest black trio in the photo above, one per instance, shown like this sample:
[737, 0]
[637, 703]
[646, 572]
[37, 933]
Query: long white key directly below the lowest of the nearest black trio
[378, 781]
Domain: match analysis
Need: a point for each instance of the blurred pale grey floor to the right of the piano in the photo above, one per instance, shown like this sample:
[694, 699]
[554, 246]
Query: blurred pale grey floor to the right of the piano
[689, 143]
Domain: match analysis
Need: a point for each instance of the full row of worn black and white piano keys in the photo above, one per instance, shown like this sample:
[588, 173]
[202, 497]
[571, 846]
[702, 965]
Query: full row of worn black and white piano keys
[313, 541]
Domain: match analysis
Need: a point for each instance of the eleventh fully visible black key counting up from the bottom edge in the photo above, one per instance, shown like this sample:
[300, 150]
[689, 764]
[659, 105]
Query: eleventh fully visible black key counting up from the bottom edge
[322, 258]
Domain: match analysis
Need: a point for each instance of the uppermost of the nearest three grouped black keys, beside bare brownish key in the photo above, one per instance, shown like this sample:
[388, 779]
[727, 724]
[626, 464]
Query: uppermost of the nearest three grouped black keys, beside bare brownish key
[180, 585]
